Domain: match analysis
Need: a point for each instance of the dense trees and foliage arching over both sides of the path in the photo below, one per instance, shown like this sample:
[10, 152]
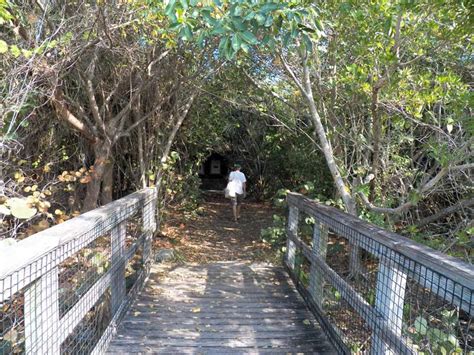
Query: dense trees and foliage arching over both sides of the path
[365, 105]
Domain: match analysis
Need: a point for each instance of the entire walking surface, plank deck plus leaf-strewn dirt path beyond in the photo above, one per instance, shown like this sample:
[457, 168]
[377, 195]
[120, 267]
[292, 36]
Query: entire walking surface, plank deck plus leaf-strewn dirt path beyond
[224, 300]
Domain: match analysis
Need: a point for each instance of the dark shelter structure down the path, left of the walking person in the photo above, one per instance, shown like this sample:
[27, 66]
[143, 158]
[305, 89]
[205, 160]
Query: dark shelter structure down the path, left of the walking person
[214, 172]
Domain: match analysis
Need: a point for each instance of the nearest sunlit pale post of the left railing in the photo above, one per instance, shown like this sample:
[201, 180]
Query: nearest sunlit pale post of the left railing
[42, 315]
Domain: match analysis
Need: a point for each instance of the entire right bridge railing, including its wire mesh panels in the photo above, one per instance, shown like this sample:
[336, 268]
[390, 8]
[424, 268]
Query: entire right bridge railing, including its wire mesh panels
[407, 298]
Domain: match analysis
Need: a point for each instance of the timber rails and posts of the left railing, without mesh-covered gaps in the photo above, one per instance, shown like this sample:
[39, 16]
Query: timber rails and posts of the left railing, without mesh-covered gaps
[31, 267]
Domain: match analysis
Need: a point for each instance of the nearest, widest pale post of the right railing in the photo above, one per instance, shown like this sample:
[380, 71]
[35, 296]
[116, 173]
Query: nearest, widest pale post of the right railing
[389, 299]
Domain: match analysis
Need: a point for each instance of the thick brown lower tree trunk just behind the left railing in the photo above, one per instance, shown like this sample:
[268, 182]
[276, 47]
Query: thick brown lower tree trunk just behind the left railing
[102, 151]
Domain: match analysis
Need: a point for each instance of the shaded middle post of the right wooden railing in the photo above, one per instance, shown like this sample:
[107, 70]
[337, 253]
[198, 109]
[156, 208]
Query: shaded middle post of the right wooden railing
[316, 279]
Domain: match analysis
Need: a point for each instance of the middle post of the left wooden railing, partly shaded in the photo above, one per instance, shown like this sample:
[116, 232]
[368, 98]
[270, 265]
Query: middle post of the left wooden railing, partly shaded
[118, 288]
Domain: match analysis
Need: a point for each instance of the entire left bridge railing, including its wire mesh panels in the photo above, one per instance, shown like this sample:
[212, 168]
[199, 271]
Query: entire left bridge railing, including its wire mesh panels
[64, 289]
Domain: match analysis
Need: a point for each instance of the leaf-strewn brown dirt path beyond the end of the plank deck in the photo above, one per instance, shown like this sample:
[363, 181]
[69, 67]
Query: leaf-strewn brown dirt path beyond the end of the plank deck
[214, 236]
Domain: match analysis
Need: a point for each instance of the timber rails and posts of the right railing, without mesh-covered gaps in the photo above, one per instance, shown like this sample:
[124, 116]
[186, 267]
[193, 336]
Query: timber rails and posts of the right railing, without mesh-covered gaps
[400, 260]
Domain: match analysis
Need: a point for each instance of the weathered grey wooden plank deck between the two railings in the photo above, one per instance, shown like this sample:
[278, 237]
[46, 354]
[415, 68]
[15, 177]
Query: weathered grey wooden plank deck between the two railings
[220, 308]
